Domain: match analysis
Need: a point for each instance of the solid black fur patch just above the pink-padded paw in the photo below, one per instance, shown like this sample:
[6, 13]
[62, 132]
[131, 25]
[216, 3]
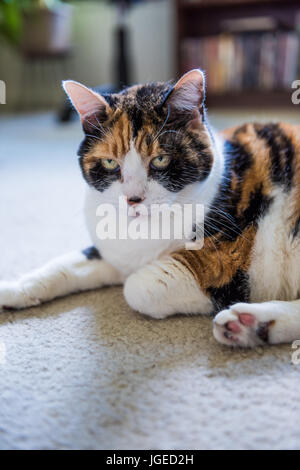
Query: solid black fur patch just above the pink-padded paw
[237, 290]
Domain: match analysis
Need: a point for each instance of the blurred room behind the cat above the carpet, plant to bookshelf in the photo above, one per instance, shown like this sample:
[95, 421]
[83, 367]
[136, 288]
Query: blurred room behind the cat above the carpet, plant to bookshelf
[250, 49]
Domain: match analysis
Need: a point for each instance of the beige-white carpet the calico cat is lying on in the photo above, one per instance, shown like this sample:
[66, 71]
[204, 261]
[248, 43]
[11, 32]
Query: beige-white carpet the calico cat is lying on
[87, 372]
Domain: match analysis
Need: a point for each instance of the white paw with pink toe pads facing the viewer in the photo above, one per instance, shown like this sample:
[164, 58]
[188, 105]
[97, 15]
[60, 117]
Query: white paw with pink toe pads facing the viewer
[244, 325]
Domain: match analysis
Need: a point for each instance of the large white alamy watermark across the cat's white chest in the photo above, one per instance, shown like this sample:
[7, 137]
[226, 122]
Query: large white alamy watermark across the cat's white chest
[183, 222]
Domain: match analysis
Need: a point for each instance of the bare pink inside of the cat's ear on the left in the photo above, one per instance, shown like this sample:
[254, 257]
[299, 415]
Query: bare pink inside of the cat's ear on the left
[84, 100]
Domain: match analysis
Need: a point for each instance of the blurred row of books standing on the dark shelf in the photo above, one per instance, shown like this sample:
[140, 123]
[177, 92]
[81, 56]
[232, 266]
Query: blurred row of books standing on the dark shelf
[252, 60]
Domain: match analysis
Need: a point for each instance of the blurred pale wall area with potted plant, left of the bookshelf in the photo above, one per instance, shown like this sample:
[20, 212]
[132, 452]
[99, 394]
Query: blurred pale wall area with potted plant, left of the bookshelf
[98, 42]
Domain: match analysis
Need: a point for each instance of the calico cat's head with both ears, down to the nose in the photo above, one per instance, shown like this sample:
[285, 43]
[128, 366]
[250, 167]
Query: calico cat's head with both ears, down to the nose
[148, 143]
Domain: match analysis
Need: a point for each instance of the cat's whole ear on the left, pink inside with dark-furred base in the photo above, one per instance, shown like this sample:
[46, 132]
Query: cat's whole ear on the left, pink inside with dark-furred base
[87, 103]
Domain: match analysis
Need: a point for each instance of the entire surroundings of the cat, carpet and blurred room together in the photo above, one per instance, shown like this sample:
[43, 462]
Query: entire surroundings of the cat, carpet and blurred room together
[86, 372]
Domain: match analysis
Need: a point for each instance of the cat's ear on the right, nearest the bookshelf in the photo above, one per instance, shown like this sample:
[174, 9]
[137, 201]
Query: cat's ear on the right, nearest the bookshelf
[188, 93]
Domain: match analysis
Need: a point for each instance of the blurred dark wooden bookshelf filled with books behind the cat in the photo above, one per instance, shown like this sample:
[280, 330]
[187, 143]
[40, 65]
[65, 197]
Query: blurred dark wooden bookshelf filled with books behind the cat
[249, 49]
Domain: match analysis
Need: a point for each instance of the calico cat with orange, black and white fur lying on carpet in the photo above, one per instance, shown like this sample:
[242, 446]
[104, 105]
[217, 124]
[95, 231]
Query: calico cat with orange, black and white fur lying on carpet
[153, 144]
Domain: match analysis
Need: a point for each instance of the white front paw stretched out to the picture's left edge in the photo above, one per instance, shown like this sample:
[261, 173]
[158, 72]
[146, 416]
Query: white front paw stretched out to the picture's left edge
[13, 296]
